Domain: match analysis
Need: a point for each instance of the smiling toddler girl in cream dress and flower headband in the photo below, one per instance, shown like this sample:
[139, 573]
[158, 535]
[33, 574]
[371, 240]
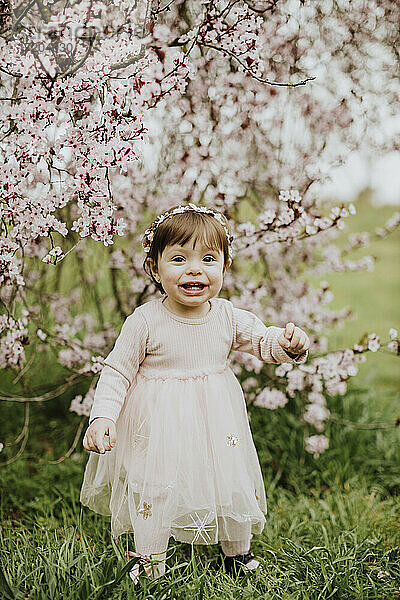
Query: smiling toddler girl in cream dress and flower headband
[180, 460]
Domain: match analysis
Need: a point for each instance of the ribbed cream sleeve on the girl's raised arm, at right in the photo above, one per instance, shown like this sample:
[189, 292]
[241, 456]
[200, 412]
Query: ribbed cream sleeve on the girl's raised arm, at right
[252, 336]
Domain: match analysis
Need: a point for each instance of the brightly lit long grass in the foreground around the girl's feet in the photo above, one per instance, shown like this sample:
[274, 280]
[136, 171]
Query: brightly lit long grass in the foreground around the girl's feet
[325, 544]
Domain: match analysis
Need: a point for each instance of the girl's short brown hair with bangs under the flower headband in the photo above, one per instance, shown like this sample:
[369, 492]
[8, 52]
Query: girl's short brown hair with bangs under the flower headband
[182, 227]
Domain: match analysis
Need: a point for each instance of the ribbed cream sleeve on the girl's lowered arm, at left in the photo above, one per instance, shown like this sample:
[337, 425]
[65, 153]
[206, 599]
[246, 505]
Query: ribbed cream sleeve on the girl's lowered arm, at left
[121, 366]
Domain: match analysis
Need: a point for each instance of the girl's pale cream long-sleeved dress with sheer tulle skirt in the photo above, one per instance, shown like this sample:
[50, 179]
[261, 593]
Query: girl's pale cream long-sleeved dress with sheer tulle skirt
[184, 458]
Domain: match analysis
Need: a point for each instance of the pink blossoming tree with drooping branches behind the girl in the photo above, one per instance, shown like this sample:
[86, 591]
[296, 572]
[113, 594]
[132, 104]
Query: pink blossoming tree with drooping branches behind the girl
[241, 102]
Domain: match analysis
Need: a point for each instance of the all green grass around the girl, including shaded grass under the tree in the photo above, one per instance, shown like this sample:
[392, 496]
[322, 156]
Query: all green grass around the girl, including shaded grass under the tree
[332, 523]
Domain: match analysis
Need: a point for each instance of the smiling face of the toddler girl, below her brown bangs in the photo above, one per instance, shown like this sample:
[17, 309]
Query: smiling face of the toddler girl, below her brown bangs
[180, 266]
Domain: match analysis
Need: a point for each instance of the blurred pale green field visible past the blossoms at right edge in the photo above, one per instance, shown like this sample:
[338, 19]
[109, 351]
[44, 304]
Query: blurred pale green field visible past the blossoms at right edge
[374, 297]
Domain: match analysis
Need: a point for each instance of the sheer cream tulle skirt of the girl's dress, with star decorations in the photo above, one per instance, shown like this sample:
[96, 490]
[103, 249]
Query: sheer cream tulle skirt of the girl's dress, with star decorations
[185, 458]
